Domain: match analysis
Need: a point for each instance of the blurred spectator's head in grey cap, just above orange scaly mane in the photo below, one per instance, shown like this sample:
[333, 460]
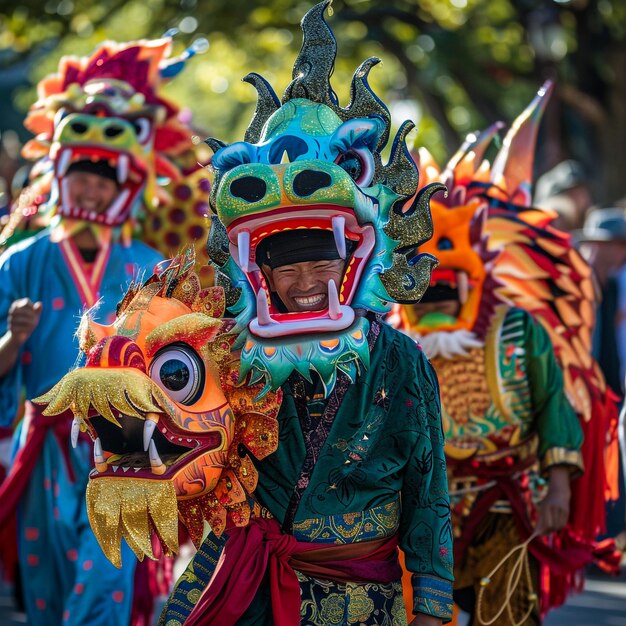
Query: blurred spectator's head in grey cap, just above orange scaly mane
[564, 190]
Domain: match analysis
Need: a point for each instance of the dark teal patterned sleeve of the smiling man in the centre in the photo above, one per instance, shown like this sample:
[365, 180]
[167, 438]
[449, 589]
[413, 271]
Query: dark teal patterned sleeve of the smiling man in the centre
[425, 527]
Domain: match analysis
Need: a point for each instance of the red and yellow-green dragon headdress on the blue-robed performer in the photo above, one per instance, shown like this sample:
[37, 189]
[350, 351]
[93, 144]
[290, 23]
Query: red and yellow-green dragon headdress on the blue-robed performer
[109, 107]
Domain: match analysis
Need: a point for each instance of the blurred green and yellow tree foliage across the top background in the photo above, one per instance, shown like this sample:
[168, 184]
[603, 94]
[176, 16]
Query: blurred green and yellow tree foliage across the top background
[453, 65]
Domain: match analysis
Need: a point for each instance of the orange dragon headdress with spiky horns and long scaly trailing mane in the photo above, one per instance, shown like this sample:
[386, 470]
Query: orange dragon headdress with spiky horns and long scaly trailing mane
[495, 248]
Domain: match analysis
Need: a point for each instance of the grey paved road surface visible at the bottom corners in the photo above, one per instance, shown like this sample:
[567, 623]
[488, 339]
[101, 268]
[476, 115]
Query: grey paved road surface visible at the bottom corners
[603, 603]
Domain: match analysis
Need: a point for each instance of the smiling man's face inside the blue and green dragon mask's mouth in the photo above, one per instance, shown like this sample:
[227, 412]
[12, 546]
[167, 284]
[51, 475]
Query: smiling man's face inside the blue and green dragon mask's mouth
[303, 286]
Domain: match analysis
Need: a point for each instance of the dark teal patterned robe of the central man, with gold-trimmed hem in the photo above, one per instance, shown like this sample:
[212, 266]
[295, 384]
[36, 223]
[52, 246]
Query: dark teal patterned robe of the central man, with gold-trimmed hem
[373, 465]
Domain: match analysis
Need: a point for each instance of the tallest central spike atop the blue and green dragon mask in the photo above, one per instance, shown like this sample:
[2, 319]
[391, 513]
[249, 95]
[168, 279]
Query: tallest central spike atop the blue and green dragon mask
[316, 61]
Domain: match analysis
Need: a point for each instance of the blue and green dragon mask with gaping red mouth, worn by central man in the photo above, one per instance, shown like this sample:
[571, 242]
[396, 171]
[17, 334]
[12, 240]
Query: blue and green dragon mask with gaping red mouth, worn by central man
[308, 163]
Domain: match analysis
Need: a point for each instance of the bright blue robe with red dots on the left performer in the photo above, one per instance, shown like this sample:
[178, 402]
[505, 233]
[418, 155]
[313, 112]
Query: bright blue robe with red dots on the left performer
[66, 577]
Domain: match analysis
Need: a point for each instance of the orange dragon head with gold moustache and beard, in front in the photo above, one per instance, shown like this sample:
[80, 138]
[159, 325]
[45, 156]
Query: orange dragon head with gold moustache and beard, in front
[171, 428]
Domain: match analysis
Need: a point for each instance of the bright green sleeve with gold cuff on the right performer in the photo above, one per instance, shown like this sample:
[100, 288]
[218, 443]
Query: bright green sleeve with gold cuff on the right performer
[560, 433]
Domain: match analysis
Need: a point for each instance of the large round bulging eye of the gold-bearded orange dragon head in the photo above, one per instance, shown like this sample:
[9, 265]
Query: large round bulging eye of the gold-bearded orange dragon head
[179, 371]
